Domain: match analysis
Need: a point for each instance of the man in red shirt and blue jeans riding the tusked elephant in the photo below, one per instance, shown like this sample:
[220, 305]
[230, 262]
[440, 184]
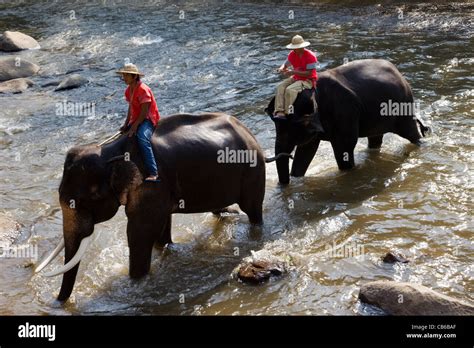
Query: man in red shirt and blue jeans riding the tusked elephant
[142, 116]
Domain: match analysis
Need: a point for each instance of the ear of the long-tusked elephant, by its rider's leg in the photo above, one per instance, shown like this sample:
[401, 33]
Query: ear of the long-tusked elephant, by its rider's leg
[125, 177]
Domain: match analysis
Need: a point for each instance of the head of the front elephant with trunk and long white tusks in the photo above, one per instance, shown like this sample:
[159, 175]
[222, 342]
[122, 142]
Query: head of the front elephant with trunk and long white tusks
[91, 191]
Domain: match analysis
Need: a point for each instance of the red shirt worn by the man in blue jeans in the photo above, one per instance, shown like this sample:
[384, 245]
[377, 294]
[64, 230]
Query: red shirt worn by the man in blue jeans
[142, 94]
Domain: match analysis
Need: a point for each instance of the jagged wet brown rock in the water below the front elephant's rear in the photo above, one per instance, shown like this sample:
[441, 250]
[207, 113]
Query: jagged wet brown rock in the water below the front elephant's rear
[260, 267]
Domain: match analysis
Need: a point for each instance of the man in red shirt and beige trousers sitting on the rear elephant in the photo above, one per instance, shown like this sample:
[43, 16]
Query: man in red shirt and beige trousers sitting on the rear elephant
[303, 75]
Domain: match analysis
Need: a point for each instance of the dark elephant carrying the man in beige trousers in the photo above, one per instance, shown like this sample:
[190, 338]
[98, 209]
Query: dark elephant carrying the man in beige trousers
[348, 103]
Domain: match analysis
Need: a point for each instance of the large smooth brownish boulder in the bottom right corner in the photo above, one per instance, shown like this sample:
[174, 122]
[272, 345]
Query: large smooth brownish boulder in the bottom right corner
[398, 298]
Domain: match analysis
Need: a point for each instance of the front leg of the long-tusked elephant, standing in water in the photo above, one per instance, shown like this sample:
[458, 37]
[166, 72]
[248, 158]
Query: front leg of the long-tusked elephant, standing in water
[141, 234]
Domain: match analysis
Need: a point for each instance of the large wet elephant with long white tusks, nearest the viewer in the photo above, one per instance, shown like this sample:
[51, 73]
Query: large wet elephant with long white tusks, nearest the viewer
[206, 163]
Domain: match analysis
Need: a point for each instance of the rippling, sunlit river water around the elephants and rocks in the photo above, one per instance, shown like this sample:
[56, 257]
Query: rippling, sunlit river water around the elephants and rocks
[221, 57]
